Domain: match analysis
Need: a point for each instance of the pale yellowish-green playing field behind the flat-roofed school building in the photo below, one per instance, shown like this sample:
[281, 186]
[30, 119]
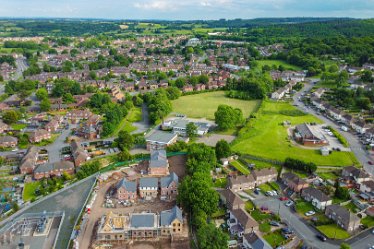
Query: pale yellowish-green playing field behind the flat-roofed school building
[204, 105]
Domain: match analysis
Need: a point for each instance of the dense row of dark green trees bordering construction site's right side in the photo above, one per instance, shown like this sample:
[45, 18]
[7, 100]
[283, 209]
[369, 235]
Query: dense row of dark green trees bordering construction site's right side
[199, 199]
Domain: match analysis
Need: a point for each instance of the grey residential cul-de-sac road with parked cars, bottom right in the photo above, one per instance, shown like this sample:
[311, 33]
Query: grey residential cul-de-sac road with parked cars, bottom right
[303, 231]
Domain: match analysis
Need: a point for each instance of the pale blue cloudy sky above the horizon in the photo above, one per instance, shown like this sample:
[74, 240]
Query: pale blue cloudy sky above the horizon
[186, 9]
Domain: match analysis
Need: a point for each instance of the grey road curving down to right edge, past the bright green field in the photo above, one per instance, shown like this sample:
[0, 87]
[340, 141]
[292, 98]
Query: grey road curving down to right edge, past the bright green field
[354, 142]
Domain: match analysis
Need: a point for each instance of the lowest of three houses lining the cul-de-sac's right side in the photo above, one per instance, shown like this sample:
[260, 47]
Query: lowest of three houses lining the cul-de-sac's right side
[343, 217]
